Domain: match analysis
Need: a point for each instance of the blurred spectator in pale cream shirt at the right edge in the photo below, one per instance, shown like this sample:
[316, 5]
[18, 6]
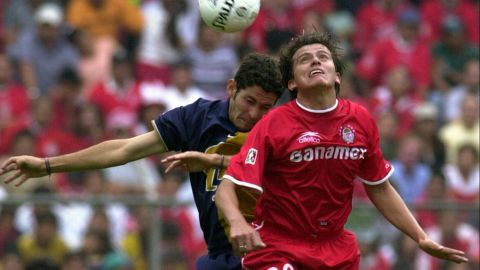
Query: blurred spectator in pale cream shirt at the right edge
[463, 130]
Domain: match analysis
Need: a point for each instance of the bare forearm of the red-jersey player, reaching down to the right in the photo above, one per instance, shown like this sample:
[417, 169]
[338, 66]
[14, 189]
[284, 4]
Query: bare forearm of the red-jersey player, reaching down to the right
[390, 204]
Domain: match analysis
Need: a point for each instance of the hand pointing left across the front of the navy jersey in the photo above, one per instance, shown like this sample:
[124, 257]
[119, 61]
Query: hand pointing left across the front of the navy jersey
[191, 161]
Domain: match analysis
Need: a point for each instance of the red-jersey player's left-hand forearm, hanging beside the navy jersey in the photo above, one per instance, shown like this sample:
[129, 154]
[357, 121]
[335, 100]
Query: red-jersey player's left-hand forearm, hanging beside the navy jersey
[227, 201]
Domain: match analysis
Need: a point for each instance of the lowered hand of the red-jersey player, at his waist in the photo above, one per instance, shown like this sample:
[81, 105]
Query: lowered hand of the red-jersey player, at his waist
[244, 238]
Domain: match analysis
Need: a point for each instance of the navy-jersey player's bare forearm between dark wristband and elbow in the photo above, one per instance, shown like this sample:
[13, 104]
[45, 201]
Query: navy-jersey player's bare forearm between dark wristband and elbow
[99, 156]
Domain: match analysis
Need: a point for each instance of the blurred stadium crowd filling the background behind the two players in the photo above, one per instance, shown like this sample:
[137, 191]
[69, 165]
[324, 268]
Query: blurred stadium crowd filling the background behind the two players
[76, 72]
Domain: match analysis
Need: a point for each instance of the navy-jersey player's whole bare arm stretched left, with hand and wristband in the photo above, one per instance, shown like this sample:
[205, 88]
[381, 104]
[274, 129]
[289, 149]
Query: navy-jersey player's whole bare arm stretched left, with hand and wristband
[105, 154]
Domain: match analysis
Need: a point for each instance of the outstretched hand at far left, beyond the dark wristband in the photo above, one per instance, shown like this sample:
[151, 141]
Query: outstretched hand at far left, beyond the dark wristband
[21, 168]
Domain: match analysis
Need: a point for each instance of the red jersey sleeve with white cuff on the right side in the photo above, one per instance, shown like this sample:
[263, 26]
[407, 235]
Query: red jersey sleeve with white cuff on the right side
[374, 169]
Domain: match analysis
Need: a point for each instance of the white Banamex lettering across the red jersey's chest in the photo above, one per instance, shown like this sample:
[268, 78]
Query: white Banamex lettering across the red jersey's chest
[330, 152]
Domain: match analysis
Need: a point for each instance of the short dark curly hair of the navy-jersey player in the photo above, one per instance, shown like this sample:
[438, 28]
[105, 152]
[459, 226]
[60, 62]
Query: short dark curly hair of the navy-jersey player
[259, 70]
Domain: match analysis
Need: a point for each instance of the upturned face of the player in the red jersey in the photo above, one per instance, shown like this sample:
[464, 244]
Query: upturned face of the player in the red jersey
[313, 68]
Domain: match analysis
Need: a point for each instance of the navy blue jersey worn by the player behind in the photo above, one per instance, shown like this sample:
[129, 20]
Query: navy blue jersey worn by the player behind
[201, 126]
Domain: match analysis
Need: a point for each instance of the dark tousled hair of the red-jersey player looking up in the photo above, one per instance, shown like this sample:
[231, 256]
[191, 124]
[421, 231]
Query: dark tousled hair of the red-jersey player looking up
[287, 52]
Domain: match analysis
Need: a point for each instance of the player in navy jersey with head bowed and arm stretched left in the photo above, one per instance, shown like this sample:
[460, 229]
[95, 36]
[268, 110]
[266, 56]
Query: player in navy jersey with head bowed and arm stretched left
[214, 127]
